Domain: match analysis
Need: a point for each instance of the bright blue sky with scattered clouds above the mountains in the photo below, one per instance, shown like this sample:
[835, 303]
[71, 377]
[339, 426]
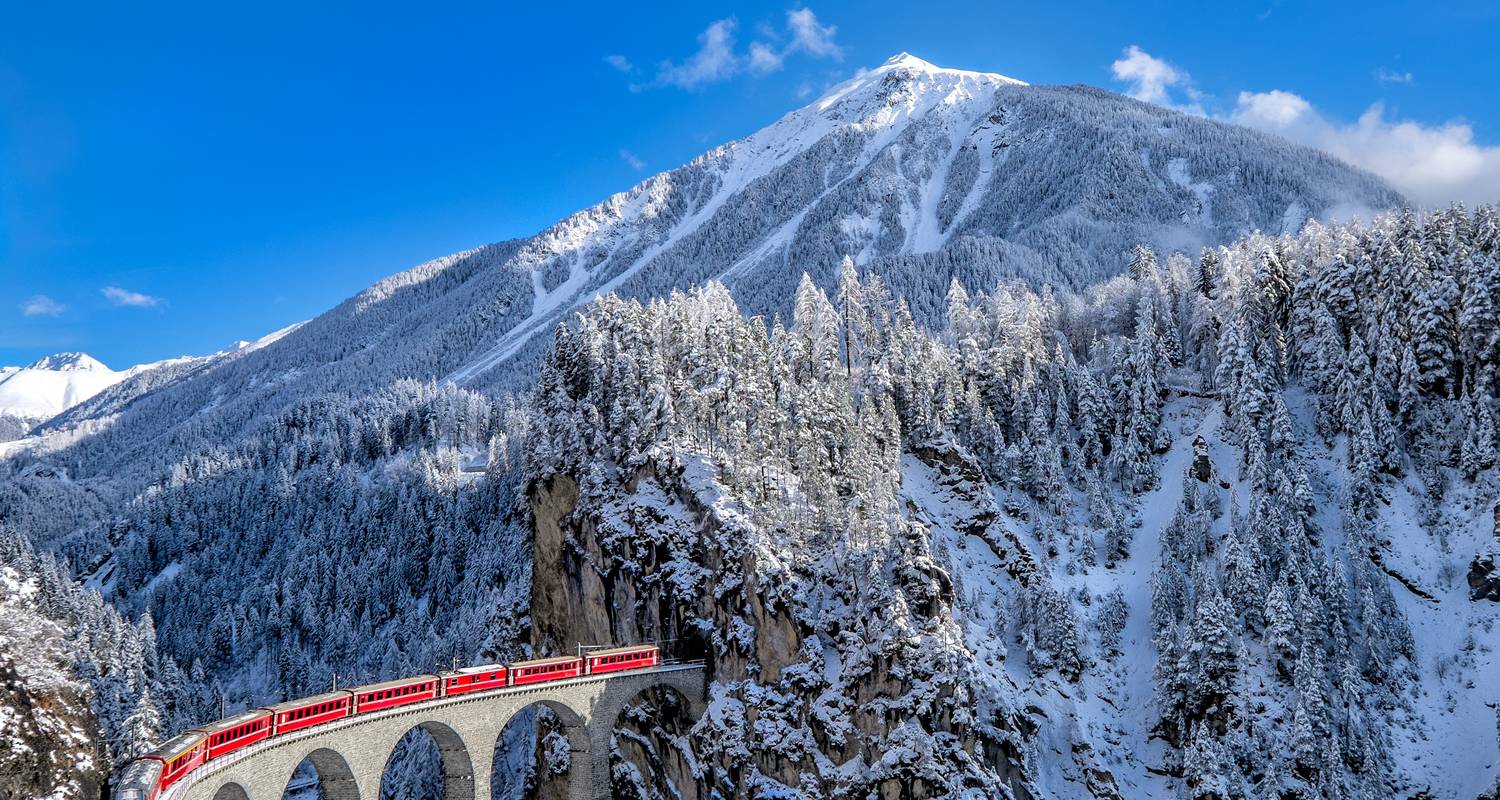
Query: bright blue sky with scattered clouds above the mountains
[176, 178]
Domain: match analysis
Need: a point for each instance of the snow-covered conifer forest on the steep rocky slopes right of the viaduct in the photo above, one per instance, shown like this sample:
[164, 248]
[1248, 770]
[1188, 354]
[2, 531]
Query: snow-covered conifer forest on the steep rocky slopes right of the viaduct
[1339, 374]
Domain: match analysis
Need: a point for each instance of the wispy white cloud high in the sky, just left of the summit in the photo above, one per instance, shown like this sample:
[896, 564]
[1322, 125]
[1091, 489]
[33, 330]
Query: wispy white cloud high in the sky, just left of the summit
[718, 59]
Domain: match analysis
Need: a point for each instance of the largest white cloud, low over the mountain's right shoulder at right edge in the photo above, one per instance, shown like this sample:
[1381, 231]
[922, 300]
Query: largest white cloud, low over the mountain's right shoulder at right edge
[1433, 166]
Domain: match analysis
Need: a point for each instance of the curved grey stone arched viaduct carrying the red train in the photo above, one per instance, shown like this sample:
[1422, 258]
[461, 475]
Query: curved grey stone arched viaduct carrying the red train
[352, 754]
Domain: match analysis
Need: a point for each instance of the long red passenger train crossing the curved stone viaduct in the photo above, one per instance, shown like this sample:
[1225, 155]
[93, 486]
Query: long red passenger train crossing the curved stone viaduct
[148, 777]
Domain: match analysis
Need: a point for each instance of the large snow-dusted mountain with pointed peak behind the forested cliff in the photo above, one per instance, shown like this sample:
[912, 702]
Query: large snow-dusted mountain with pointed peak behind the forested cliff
[922, 175]
